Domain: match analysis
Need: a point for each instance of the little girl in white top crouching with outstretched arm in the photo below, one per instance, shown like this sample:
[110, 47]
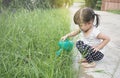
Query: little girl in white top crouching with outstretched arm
[91, 41]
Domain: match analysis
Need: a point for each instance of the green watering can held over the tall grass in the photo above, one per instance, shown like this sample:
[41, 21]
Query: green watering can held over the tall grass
[66, 45]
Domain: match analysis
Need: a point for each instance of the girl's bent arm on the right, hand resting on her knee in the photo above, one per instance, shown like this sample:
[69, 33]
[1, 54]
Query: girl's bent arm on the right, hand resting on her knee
[105, 39]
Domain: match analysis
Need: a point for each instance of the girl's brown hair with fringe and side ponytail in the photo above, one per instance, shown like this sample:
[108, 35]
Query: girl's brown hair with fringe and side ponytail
[85, 15]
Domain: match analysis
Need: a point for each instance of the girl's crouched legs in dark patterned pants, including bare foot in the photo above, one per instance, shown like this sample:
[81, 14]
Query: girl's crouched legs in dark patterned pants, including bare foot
[91, 55]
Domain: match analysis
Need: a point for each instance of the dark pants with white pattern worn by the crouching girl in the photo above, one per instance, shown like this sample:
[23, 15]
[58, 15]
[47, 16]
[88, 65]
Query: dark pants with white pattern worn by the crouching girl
[91, 54]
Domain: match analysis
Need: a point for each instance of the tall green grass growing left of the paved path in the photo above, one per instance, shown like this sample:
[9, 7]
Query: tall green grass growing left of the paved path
[28, 42]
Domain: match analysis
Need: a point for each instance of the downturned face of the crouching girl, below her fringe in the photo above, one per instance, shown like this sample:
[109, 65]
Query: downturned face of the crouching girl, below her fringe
[86, 26]
